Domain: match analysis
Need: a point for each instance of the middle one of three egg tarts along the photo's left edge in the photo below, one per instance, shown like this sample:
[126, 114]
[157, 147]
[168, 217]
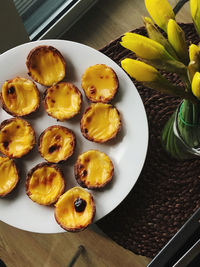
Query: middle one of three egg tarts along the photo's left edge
[17, 137]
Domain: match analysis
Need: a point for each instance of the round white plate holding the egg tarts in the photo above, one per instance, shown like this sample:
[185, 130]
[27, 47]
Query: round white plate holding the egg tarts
[127, 151]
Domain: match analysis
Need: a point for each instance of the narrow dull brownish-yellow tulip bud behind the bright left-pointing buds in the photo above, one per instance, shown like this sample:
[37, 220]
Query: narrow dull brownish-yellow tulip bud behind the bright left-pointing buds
[156, 35]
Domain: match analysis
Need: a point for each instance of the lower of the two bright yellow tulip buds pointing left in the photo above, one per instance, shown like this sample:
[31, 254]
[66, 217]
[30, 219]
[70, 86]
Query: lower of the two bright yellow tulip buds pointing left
[151, 78]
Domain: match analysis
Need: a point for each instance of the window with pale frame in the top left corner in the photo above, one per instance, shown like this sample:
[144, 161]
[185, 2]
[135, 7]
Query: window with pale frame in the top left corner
[21, 20]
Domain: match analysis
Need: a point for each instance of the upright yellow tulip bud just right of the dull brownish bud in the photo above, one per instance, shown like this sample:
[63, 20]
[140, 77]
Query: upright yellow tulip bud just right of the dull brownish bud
[176, 37]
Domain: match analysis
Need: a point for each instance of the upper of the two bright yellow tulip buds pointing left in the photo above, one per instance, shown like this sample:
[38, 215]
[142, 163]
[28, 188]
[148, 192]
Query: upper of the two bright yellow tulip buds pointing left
[152, 52]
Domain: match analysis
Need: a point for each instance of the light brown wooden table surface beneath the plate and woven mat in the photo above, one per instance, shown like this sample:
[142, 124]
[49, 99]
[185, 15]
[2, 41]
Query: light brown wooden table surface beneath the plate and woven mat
[106, 21]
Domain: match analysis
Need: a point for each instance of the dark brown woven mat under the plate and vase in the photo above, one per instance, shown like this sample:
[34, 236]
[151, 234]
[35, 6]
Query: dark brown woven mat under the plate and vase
[168, 191]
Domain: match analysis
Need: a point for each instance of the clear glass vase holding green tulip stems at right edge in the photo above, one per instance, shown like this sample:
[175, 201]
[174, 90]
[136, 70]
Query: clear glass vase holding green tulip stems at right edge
[181, 134]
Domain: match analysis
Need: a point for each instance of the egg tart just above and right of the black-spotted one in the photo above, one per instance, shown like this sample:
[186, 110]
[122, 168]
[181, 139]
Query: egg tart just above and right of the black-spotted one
[93, 169]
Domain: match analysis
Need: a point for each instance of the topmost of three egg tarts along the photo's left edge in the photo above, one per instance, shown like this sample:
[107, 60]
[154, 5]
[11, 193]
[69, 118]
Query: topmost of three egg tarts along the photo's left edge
[20, 96]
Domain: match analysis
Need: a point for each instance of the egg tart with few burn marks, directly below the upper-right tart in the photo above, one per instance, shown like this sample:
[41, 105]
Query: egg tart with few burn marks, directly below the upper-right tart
[100, 122]
